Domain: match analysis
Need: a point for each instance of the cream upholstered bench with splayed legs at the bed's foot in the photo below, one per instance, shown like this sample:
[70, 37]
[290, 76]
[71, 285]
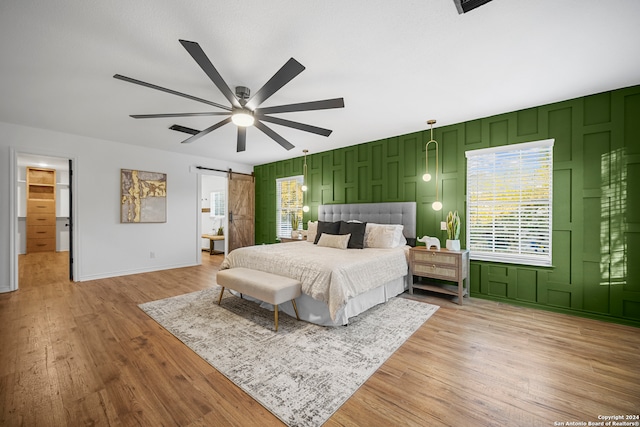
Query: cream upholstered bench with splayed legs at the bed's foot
[264, 286]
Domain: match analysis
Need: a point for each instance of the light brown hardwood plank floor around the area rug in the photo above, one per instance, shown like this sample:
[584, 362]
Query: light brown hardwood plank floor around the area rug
[85, 354]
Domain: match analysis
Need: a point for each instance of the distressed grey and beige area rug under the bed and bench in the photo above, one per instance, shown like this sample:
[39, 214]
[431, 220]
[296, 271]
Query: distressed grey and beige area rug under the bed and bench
[304, 372]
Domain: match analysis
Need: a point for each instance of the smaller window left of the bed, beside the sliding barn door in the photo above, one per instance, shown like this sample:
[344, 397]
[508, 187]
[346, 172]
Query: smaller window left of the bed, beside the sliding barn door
[289, 201]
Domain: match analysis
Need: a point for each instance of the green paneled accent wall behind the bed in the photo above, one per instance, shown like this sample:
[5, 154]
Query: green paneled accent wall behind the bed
[596, 212]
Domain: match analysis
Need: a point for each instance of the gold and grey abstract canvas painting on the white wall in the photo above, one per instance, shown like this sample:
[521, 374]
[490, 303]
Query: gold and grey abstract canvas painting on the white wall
[143, 196]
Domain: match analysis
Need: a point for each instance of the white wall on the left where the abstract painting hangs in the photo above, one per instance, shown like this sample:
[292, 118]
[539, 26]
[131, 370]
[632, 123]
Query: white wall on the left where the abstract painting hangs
[104, 246]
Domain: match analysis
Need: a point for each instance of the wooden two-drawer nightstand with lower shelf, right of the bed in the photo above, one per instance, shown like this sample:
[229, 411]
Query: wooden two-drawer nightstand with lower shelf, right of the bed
[443, 264]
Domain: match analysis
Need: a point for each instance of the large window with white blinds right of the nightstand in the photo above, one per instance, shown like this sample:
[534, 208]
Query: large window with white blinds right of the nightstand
[509, 201]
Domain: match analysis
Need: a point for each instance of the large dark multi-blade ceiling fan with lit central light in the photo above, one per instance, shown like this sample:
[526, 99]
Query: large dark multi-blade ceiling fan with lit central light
[245, 110]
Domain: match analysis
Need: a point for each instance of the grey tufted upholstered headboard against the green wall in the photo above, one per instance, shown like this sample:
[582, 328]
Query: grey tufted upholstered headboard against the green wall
[382, 213]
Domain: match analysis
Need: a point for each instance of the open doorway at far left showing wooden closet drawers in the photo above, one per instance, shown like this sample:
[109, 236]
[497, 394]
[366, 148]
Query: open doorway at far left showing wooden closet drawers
[59, 249]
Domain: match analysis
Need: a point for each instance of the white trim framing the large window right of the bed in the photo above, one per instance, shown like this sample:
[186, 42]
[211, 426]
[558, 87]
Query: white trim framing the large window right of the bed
[544, 260]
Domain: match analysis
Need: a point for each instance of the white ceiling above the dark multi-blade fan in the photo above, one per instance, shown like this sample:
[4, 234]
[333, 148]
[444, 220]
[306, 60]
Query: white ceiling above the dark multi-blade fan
[396, 63]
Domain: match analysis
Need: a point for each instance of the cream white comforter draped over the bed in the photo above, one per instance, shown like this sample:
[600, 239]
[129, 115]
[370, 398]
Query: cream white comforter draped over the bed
[327, 274]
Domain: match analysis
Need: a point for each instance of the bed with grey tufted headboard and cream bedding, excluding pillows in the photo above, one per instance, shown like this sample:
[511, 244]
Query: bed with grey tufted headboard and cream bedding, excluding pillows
[338, 284]
